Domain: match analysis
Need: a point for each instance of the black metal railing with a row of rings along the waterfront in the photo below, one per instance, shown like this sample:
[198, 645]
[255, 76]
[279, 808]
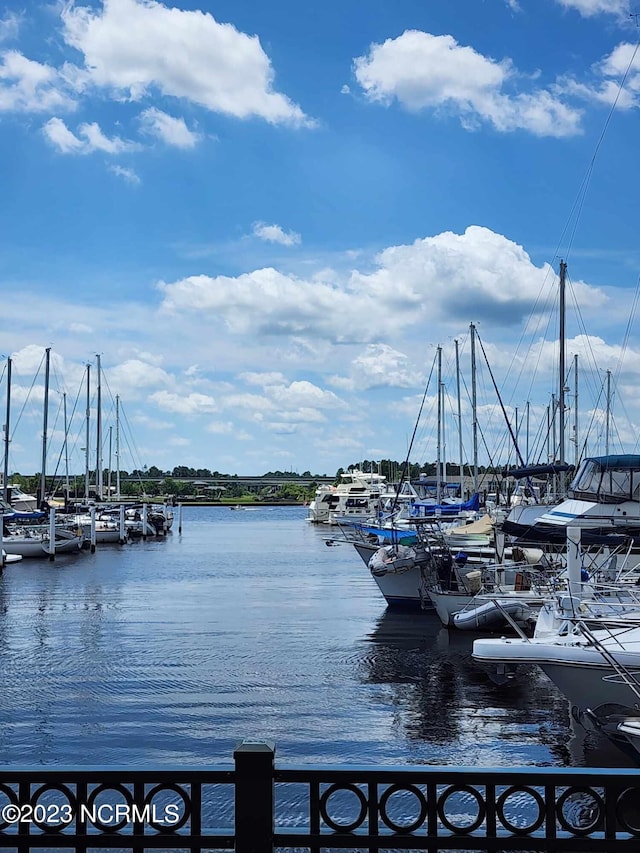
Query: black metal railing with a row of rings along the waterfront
[254, 806]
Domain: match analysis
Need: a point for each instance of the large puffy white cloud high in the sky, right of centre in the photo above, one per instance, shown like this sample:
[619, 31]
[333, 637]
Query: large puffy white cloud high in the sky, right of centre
[424, 71]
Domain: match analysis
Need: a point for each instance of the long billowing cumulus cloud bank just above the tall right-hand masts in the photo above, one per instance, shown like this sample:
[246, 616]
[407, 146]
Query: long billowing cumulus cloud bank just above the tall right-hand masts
[483, 274]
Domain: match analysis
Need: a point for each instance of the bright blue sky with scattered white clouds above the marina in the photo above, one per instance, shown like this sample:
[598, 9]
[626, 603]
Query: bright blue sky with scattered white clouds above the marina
[271, 222]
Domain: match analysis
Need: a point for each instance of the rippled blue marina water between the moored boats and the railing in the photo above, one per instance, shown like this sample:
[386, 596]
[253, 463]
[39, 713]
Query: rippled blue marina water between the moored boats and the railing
[248, 626]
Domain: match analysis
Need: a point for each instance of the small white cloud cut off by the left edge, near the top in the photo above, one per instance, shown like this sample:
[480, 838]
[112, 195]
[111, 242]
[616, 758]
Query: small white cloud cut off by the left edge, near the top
[28, 86]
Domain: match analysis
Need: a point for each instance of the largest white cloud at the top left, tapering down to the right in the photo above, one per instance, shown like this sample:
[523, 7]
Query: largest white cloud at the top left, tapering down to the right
[132, 47]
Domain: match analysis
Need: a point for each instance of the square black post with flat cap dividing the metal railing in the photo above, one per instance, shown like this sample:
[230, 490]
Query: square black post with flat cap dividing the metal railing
[254, 796]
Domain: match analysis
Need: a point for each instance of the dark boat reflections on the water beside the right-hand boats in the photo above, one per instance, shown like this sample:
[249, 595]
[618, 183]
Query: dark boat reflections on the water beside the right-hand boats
[442, 697]
